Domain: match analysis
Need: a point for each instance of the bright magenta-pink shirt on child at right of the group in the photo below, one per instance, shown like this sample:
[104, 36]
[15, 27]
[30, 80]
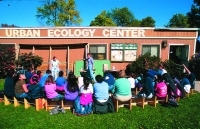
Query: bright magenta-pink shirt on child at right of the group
[161, 89]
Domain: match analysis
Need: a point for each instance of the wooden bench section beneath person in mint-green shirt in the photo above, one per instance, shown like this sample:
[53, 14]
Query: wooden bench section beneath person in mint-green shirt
[118, 104]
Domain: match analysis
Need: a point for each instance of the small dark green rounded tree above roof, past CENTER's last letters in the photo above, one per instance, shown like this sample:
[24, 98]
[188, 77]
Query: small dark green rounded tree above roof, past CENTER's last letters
[147, 22]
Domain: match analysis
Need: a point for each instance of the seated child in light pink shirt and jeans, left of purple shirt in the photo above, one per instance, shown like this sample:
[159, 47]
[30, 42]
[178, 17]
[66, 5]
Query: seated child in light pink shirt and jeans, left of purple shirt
[50, 89]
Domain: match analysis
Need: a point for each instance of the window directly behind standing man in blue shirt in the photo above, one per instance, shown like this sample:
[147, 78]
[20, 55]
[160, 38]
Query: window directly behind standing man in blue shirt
[98, 52]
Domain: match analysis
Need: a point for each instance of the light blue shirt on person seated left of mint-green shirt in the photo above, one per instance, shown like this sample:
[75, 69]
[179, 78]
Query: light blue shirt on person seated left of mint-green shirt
[101, 91]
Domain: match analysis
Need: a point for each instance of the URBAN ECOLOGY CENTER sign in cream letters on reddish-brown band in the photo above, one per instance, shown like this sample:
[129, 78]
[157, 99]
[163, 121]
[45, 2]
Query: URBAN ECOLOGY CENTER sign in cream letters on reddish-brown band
[73, 33]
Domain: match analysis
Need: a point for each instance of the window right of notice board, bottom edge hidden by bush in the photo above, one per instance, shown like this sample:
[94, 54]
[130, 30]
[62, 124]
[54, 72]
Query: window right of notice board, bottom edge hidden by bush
[154, 50]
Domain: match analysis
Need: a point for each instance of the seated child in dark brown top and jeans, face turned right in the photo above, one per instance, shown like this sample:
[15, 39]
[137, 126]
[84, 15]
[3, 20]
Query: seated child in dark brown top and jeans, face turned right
[20, 87]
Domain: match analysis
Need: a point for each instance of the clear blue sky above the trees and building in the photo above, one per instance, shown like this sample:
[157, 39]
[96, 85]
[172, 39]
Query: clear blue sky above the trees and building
[22, 12]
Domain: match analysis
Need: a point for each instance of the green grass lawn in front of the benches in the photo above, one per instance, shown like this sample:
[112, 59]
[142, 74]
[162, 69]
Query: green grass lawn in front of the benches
[186, 116]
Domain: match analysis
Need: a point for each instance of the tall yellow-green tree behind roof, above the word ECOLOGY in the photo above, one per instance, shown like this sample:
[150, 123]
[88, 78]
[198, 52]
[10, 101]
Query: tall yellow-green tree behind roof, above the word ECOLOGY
[59, 13]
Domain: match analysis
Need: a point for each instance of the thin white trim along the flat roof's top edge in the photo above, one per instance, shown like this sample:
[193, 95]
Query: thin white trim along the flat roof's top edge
[98, 27]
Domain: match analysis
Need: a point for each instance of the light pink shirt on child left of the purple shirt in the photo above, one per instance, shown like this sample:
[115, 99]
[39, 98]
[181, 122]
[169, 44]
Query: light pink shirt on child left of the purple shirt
[50, 90]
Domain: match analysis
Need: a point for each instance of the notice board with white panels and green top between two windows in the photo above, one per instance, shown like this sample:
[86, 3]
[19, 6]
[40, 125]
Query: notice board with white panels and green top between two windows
[123, 52]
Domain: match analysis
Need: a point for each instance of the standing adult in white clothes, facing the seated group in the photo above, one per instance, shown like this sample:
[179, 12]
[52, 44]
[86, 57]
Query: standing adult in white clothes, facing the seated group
[55, 67]
